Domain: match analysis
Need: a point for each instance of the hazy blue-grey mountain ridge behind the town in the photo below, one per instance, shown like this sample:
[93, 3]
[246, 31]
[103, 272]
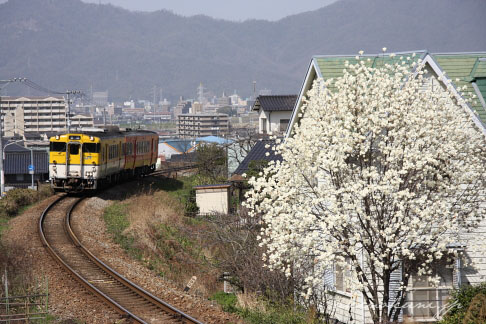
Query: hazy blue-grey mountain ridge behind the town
[71, 44]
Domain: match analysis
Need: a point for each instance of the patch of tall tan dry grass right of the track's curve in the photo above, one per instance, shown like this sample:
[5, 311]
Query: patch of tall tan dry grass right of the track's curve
[162, 235]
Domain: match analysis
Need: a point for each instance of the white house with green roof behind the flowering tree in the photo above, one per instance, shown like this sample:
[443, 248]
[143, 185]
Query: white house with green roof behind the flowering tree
[424, 302]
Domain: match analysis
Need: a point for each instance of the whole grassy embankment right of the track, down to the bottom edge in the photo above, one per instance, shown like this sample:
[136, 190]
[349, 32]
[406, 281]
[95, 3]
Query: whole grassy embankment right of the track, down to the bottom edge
[151, 227]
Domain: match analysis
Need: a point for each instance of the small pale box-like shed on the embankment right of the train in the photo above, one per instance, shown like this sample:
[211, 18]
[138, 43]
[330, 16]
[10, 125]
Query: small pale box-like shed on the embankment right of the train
[213, 199]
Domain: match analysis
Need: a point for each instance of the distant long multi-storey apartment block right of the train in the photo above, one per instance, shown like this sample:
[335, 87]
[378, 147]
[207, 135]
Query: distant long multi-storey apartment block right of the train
[198, 125]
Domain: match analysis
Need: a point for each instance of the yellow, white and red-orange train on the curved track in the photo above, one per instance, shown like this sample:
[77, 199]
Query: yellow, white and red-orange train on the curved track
[89, 160]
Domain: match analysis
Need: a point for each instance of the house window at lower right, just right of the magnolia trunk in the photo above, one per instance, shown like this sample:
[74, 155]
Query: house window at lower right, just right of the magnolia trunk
[426, 301]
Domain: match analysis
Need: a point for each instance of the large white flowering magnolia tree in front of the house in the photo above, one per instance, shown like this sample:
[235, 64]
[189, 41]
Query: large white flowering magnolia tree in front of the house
[380, 174]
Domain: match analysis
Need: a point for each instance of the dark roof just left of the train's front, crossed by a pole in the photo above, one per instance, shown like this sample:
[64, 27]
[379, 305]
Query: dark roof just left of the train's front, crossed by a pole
[18, 162]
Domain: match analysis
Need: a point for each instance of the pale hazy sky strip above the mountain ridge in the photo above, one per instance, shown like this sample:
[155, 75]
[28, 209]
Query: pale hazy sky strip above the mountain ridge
[225, 9]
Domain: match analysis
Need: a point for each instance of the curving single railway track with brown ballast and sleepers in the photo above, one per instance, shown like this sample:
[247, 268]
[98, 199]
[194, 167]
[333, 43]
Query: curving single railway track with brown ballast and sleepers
[131, 301]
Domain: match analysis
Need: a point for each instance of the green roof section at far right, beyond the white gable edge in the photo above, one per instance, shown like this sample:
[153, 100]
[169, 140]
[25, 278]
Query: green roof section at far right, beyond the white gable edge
[464, 69]
